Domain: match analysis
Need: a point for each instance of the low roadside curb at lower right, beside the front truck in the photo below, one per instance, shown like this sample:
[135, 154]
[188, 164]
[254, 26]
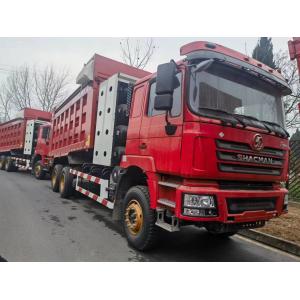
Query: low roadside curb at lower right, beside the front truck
[270, 240]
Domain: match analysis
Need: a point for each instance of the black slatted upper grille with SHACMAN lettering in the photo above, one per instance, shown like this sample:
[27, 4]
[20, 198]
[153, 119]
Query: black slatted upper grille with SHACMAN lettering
[240, 158]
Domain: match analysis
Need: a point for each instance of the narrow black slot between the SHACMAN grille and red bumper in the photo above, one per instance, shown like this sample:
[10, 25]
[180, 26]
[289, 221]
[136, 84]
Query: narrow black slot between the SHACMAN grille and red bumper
[245, 185]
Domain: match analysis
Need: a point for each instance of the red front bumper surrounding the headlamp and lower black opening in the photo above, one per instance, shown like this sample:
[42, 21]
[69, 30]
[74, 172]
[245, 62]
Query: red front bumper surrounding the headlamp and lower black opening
[221, 197]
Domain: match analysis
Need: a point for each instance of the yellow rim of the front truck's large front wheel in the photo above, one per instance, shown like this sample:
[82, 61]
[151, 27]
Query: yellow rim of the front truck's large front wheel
[134, 217]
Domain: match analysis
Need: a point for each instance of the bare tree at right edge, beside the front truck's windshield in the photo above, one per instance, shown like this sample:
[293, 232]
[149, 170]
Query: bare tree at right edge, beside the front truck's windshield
[290, 72]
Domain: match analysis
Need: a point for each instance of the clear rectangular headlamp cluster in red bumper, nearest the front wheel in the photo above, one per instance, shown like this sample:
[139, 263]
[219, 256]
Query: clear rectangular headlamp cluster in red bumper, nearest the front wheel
[199, 205]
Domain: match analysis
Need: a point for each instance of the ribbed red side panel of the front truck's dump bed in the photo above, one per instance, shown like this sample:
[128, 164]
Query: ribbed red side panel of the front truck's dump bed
[73, 124]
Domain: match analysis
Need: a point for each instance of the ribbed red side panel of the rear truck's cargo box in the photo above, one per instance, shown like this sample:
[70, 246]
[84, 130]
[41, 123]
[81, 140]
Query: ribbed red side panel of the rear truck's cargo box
[12, 135]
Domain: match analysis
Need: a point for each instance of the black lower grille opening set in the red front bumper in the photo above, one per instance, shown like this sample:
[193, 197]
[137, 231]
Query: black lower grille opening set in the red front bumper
[240, 205]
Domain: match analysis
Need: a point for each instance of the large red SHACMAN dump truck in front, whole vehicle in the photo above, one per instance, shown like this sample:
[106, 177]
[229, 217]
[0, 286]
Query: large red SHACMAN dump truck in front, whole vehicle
[201, 142]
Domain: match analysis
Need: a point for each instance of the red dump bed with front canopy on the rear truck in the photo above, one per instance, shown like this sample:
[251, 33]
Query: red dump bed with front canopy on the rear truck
[12, 133]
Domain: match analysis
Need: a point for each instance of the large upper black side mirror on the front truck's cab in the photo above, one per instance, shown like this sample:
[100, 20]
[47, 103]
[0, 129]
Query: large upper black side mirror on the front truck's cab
[166, 80]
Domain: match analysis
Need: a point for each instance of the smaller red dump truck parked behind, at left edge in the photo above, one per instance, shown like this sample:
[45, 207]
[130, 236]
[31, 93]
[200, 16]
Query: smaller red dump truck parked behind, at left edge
[24, 142]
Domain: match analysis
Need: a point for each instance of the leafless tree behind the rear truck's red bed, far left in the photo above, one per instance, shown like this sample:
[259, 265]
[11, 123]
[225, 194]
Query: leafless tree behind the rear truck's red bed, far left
[19, 87]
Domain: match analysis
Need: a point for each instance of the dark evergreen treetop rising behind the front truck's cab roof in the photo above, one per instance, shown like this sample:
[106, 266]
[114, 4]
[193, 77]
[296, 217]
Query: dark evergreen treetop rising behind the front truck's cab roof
[263, 52]
